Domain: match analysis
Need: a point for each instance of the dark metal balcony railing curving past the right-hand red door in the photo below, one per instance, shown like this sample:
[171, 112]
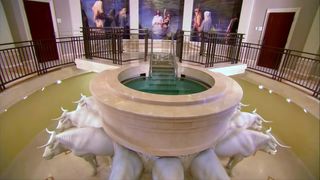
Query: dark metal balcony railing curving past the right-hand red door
[295, 67]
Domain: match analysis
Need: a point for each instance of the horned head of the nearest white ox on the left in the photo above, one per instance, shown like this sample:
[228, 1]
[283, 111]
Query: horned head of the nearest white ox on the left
[52, 148]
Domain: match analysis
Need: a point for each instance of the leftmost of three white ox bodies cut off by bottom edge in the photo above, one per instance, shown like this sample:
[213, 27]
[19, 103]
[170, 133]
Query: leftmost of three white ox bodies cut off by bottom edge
[126, 164]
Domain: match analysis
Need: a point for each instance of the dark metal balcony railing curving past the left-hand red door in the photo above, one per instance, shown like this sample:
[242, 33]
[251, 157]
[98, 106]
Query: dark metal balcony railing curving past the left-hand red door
[21, 59]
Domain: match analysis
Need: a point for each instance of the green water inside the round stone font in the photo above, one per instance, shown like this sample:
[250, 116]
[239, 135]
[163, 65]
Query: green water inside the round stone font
[166, 84]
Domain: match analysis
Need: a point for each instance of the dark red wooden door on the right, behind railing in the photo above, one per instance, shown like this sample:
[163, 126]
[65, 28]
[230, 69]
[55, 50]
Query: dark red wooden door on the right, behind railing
[275, 39]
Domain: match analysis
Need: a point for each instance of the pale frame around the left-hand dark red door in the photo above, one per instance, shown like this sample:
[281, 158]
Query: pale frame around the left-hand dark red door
[25, 20]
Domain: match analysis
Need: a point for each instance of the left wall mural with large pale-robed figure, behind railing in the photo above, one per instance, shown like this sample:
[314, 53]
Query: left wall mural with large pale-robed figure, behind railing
[105, 13]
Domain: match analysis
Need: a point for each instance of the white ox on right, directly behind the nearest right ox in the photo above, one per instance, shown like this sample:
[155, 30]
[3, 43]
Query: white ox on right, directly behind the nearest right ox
[247, 120]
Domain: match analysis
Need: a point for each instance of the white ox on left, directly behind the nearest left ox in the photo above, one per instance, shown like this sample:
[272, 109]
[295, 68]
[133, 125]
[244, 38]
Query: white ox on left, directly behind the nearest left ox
[79, 118]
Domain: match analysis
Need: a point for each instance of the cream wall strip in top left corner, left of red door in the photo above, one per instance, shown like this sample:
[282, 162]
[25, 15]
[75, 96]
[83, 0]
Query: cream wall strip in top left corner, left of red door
[5, 33]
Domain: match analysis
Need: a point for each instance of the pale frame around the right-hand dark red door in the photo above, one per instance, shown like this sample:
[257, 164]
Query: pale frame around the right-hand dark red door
[281, 10]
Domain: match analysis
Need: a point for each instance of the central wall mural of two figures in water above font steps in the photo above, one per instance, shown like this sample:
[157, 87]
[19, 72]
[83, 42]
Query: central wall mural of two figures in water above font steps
[162, 17]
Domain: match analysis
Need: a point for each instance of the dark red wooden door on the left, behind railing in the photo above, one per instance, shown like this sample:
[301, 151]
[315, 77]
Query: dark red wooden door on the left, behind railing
[42, 31]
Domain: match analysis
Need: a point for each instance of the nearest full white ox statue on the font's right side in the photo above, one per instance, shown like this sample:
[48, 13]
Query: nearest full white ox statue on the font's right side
[241, 143]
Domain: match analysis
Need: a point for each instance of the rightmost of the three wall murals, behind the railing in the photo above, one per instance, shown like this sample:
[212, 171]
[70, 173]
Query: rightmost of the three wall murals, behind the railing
[216, 15]
